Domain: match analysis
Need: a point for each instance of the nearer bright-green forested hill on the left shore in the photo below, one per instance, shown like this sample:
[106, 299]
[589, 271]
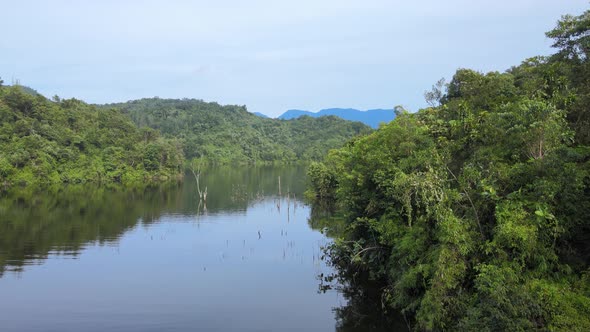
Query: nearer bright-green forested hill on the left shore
[45, 142]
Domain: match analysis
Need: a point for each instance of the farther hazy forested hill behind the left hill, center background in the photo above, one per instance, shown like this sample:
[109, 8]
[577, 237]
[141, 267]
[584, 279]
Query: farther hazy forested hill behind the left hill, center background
[230, 134]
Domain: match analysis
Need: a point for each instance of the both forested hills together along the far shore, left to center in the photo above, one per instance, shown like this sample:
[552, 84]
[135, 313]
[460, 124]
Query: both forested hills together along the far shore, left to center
[45, 142]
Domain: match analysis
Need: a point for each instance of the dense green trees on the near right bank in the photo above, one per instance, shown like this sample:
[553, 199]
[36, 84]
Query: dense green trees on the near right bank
[474, 214]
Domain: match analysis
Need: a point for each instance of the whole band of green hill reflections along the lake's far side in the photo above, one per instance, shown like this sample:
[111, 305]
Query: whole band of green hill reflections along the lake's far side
[63, 222]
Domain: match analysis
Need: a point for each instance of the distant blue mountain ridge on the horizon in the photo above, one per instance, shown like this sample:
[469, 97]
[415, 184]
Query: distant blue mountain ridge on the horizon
[370, 117]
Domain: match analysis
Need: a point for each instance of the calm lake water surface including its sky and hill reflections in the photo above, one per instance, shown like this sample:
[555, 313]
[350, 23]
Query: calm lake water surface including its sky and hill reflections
[95, 259]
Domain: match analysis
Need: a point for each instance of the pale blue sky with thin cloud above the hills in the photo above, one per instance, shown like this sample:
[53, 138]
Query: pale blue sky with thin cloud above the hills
[269, 55]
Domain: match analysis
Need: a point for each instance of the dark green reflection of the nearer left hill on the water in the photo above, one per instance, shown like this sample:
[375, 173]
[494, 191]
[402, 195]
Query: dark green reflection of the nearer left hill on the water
[34, 226]
